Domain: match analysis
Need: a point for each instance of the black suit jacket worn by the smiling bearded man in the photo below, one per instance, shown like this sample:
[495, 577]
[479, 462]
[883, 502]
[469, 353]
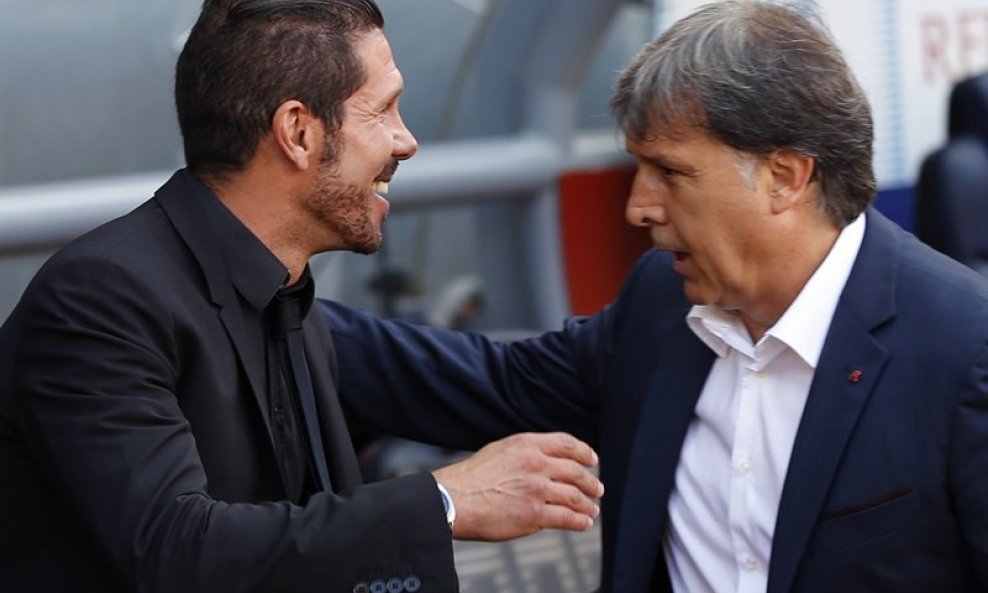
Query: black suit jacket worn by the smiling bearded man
[135, 451]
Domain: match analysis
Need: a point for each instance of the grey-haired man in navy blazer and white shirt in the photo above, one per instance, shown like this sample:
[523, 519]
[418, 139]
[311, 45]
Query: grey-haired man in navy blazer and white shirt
[795, 396]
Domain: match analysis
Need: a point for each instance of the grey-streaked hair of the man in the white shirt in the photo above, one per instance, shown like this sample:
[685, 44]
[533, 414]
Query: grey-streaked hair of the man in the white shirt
[758, 76]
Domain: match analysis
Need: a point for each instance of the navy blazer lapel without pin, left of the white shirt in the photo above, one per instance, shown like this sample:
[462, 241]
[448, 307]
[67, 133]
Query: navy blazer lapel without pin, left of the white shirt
[665, 417]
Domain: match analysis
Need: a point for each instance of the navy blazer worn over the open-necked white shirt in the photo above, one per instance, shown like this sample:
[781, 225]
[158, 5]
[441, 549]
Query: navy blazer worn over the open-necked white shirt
[887, 487]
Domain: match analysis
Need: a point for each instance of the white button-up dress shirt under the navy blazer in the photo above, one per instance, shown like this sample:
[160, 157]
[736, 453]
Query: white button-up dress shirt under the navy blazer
[724, 503]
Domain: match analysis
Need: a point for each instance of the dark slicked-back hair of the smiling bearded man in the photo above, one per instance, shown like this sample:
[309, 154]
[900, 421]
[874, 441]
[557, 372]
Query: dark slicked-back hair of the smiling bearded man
[244, 58]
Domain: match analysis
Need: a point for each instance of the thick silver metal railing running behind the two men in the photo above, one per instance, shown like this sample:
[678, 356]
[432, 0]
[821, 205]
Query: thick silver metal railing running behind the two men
[41, 217]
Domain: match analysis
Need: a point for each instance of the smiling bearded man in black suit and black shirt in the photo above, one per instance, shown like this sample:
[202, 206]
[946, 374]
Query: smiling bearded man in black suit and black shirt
[162, 427]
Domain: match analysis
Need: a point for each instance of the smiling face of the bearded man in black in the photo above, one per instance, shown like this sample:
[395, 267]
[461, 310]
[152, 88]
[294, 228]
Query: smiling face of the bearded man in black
[345, 195]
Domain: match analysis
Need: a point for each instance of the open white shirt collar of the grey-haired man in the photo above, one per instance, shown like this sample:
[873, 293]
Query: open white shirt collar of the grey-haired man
[804, 325]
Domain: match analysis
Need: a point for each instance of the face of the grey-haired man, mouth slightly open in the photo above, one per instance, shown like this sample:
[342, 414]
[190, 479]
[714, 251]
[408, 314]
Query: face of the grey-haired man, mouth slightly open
[709, 205]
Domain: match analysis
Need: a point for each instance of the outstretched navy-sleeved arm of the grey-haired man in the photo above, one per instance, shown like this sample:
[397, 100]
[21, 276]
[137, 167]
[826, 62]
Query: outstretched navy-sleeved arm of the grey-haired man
[462, 390]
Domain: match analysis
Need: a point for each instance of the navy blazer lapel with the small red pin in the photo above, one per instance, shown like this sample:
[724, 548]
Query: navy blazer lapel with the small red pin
[848, 370]
